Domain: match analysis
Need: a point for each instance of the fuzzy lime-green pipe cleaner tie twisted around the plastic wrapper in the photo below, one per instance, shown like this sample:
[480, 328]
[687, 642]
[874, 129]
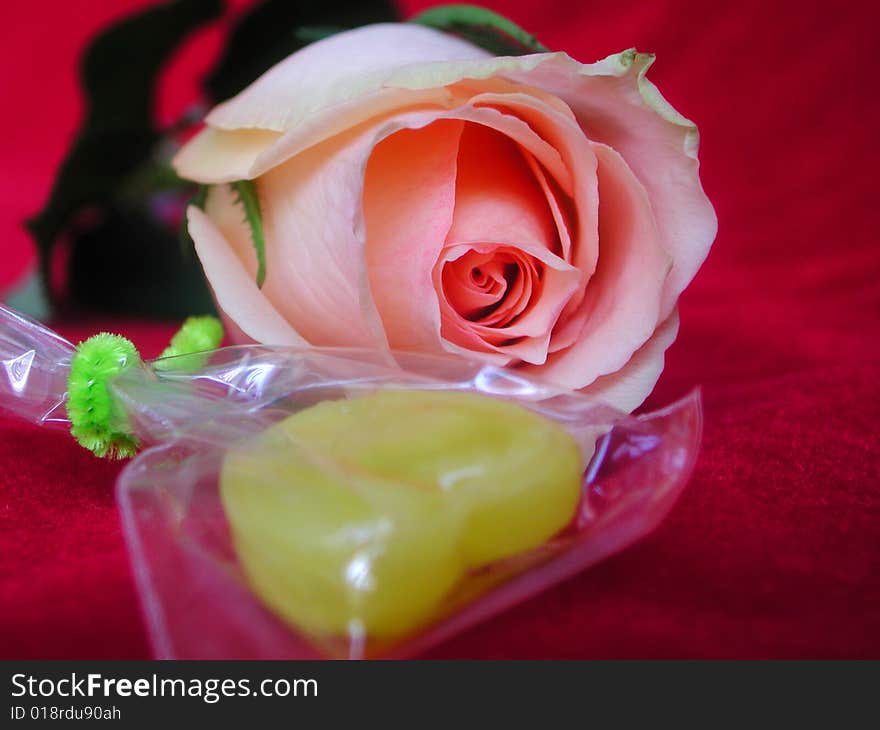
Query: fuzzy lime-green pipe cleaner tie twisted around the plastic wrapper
[95, 421]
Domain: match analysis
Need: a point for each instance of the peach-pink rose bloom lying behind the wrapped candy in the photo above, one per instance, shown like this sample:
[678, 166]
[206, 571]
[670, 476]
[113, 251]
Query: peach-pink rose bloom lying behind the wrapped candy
[419, 194]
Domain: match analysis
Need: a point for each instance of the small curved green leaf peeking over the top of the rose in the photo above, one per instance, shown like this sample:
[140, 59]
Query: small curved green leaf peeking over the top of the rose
[482, 27]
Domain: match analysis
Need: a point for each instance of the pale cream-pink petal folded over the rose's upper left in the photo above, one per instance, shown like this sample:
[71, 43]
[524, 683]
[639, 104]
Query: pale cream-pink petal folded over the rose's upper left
[322, 90]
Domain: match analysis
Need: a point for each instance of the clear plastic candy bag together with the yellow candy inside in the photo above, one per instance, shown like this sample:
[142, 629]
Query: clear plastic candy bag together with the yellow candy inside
[246, 541]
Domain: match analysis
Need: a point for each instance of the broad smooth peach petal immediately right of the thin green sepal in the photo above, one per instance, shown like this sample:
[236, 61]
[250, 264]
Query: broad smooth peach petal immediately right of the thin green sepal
[316, 272]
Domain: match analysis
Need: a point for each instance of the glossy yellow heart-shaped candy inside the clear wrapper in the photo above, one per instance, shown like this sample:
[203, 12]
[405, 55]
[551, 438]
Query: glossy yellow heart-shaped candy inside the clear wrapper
[359, 516]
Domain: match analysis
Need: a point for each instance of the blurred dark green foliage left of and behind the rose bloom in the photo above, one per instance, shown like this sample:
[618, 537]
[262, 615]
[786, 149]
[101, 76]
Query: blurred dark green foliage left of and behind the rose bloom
[110, 189]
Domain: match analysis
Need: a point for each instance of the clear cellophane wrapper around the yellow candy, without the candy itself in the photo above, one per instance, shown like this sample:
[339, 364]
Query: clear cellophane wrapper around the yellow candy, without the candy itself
[190, 411]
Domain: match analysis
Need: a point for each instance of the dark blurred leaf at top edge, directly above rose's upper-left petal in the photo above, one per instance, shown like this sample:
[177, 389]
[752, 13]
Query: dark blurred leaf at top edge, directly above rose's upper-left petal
[276, 28]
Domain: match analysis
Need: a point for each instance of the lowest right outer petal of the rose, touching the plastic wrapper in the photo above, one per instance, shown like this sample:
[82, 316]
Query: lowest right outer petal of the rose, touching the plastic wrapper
[629, 386]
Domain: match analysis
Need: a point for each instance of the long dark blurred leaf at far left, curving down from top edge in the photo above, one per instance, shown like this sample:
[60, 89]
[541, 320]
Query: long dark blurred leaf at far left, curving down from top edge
[118, 135]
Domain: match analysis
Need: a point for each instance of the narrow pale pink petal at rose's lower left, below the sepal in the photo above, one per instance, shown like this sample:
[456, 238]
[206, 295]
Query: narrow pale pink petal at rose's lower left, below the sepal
[234, 287]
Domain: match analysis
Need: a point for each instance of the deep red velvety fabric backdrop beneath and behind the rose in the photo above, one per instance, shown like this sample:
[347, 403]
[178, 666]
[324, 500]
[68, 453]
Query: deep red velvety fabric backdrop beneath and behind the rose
[774, 548]
